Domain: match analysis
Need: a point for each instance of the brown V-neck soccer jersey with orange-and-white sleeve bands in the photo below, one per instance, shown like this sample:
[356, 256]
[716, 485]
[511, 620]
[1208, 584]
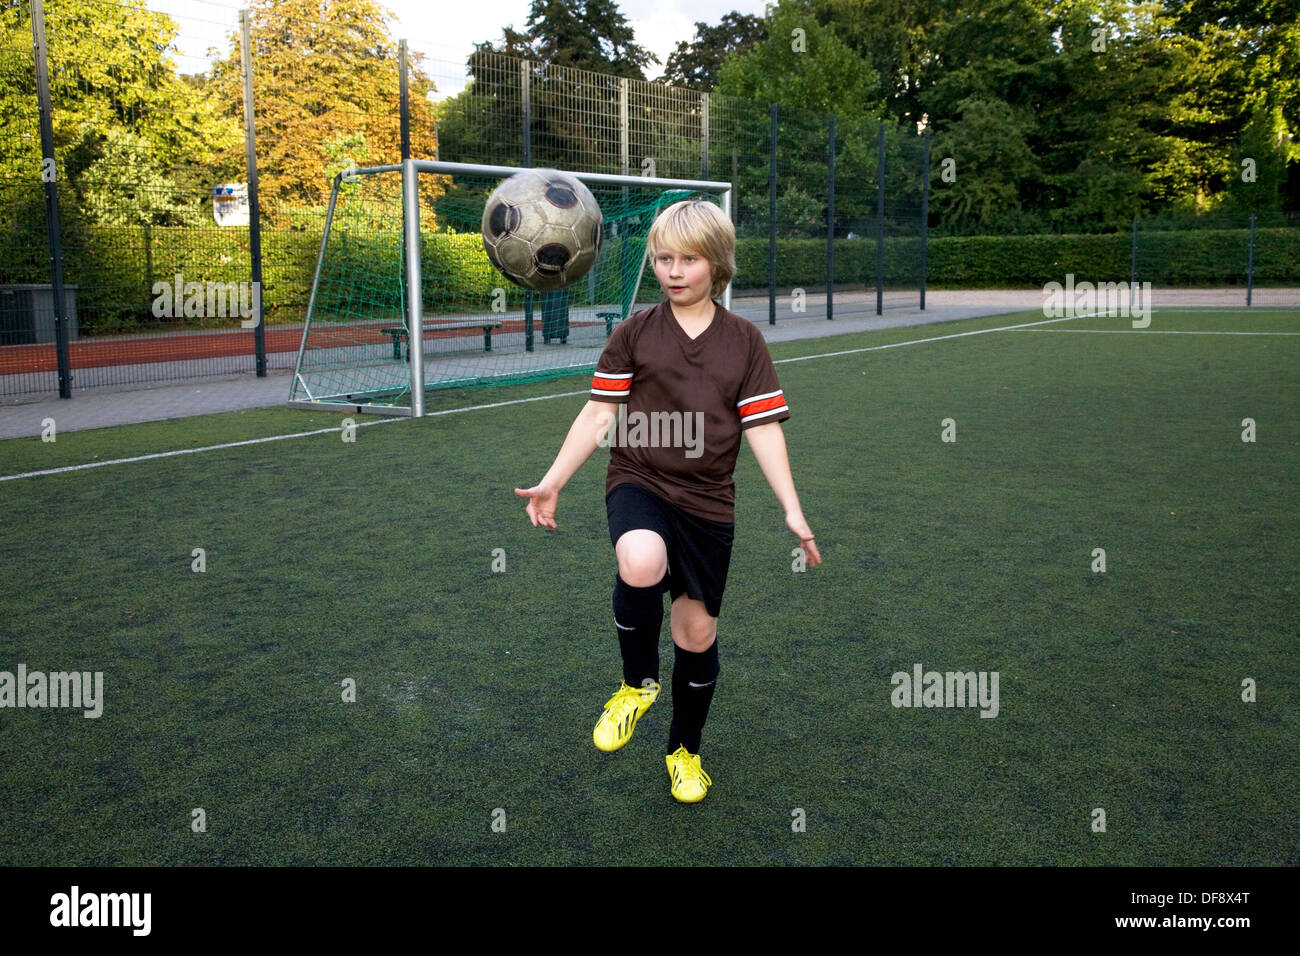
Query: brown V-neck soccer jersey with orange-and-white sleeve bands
[687, 401]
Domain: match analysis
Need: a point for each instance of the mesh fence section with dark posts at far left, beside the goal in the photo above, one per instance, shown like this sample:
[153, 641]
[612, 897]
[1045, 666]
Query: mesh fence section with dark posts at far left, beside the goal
[98, 207]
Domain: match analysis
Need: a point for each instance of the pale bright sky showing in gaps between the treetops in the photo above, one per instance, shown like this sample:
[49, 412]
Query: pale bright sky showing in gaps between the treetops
[447, 31]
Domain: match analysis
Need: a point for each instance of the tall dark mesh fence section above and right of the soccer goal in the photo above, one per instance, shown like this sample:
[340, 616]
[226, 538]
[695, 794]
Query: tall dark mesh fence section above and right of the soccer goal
[817, 196]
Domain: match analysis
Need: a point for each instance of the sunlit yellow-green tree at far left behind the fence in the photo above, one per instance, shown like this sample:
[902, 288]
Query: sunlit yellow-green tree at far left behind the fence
[133, 141]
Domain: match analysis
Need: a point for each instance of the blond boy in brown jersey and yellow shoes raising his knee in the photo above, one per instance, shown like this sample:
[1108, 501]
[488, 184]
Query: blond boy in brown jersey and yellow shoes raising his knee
[671, 508]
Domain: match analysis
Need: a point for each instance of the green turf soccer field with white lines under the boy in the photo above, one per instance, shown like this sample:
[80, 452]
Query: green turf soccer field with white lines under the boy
[476, 691]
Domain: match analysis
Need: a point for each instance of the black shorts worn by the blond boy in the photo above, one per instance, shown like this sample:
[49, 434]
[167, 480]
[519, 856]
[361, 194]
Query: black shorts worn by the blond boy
[699, 550]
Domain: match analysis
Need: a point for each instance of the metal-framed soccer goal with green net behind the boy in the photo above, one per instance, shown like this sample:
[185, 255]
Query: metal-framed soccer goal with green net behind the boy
[405, 297]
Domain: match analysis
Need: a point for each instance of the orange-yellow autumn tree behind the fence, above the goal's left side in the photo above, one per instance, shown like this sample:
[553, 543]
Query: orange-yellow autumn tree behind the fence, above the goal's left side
[327, 97]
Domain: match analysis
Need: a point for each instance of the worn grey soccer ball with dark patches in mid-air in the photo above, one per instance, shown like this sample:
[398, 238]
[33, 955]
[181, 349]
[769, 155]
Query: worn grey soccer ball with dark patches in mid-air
[543, 230]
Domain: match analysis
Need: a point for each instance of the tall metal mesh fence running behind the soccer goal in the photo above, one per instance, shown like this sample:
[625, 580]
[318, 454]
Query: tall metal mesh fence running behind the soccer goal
[116, 168]
